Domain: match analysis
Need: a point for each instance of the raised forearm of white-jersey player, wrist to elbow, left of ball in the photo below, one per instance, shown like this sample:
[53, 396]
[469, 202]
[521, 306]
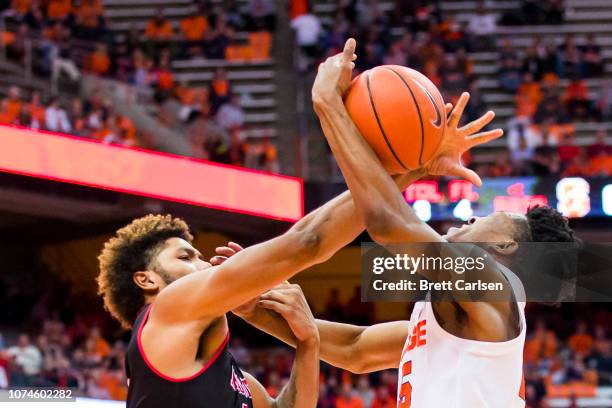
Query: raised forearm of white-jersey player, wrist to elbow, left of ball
[374, 192]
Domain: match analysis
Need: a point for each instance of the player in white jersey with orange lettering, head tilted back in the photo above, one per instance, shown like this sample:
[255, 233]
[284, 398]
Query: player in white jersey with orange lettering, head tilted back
[449, 354]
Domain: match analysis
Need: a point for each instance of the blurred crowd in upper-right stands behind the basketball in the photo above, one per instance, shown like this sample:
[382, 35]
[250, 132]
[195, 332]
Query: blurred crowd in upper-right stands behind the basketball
[548, 82]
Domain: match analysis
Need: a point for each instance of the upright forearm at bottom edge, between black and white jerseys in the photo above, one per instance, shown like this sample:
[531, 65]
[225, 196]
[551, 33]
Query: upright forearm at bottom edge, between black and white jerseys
[302, 390]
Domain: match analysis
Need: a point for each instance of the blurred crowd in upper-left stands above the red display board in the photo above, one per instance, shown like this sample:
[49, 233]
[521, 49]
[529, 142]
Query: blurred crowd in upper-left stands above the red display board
[71, 38]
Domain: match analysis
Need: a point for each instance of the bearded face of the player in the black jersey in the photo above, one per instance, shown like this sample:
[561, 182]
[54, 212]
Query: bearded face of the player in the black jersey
[179, 258]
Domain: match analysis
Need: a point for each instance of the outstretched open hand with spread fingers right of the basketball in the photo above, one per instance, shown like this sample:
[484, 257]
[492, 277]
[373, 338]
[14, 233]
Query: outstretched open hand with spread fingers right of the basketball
[456, 141]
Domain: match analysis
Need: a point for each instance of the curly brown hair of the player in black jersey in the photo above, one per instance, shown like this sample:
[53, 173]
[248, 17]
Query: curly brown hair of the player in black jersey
[133, 248]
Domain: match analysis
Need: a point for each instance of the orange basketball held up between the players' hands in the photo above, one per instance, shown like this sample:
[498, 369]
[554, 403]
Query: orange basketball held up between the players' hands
[401, 114]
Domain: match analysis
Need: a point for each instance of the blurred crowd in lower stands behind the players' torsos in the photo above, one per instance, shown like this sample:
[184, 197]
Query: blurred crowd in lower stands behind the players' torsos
[566, 354]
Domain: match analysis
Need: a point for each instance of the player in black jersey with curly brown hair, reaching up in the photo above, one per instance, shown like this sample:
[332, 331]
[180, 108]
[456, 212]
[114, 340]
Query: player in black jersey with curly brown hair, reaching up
[154, 282]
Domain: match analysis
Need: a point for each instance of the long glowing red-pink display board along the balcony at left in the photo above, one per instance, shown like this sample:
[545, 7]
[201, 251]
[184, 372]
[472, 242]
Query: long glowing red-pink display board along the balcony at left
[151, 174]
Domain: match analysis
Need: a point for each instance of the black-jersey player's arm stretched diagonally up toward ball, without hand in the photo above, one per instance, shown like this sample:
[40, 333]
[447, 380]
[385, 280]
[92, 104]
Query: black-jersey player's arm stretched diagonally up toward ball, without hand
[315, 238]
